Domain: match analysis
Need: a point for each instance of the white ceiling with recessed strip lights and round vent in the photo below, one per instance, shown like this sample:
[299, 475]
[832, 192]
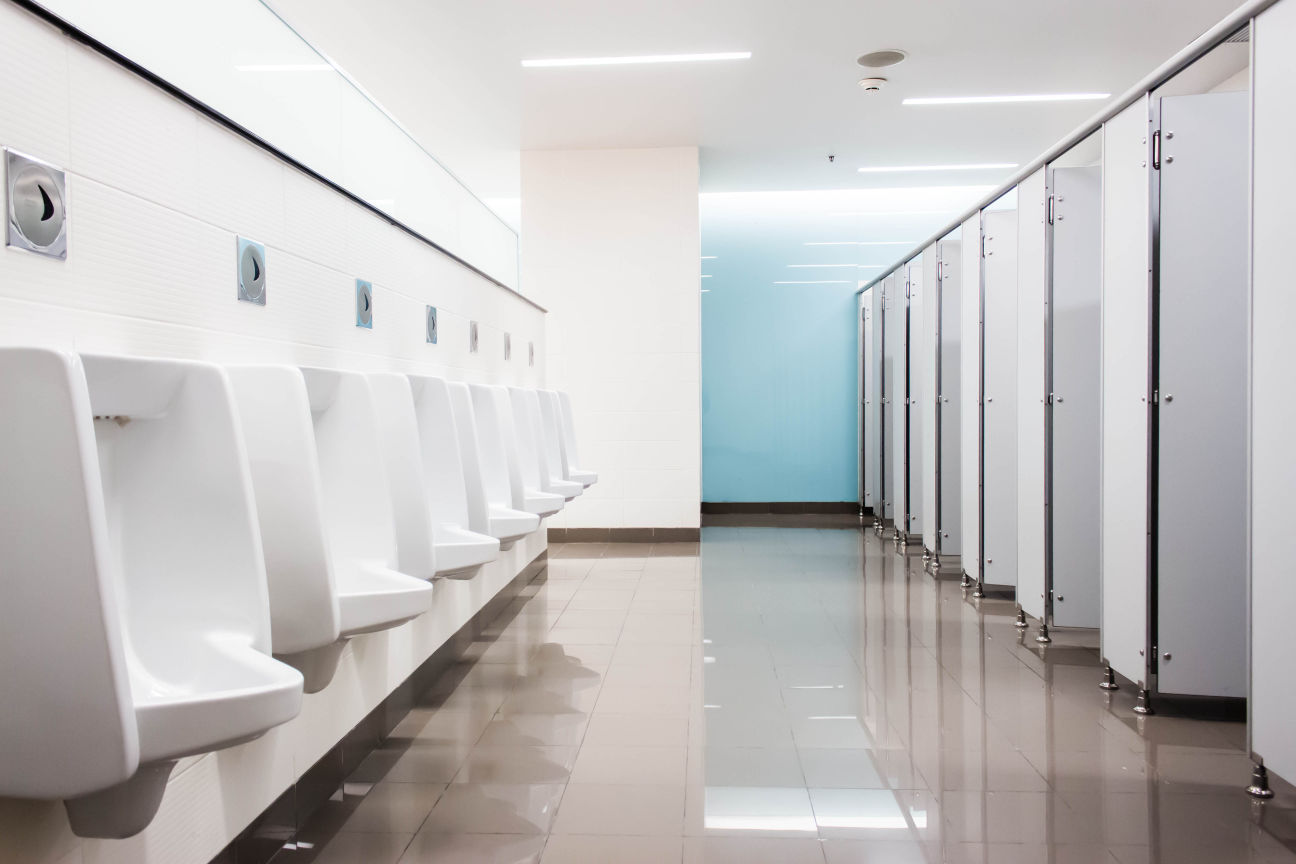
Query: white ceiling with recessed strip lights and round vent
[450, 72]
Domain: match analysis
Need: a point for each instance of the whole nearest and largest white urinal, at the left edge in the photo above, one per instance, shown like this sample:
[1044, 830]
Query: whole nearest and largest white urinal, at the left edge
[134, 591]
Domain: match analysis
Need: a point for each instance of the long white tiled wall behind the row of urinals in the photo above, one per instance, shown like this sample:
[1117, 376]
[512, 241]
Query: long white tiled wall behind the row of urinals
[157, 195]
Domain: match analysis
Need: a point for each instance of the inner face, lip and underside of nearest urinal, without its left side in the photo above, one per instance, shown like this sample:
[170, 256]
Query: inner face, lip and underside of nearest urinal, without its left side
[174, 479]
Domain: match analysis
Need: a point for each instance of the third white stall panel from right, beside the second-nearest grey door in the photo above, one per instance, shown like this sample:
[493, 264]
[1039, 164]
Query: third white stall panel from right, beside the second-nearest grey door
[1032, 312]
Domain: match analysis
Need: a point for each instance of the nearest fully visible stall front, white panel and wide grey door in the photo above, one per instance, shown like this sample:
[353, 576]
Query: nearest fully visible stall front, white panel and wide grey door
[1176, 350]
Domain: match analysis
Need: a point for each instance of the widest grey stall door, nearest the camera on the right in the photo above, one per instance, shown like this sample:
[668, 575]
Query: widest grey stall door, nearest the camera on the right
[1202, 407]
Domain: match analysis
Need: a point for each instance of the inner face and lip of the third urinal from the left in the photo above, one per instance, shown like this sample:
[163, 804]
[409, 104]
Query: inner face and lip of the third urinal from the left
[454, 503]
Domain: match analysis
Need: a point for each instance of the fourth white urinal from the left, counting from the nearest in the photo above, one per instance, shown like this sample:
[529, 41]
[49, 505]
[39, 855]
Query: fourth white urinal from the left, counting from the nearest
[487, 472]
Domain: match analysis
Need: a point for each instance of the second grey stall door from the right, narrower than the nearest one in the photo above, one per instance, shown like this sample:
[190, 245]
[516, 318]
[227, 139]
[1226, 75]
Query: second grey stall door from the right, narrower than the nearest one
[1075, 344]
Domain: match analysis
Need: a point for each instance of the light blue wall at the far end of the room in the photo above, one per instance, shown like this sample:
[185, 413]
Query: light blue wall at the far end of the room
[780, 388]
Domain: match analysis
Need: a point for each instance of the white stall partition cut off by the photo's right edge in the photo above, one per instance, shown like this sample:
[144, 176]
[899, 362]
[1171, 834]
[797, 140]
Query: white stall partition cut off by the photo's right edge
[1273, 591]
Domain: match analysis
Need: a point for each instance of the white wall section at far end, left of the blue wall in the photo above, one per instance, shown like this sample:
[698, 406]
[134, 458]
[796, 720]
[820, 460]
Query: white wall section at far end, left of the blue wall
[611, 244]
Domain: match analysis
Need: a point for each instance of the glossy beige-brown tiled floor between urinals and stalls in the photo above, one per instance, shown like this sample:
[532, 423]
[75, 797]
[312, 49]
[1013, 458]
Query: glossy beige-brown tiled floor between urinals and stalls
[787, 696]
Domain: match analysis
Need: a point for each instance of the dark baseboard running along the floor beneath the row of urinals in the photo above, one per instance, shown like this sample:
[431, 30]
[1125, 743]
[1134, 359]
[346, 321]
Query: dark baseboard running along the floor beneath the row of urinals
[281, 823]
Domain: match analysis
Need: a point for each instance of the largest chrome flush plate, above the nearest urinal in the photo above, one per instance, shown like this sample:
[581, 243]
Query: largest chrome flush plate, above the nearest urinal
[38, 207]
